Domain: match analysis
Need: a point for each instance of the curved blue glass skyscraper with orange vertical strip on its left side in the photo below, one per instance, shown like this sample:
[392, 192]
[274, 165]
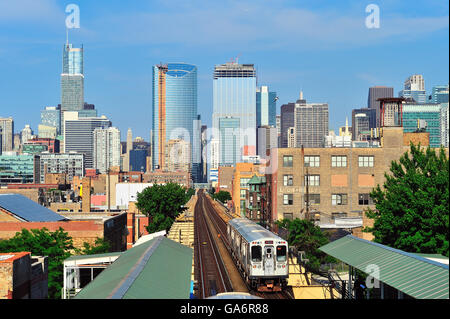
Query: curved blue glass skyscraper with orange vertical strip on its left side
[174, 108]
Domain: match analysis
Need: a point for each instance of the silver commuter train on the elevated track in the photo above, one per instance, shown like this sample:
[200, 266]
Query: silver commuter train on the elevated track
[260, 255]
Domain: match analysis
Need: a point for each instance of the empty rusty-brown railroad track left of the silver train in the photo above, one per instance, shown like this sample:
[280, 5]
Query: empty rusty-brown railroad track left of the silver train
[212, 277]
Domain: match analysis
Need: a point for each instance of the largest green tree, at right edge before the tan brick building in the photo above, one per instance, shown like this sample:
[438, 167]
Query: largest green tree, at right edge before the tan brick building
[412, 208]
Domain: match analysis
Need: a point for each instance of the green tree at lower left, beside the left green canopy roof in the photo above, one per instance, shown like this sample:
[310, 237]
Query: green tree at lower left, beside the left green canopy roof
[40, 242]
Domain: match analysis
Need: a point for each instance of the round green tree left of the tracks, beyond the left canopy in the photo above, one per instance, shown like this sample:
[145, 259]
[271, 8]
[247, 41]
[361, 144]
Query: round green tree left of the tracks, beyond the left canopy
[162, 203]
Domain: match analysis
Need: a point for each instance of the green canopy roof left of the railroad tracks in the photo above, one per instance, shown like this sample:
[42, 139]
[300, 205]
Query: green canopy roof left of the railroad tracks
[157, 269]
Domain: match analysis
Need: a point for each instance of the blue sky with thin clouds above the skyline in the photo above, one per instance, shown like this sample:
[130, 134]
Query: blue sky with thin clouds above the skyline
[321, 47]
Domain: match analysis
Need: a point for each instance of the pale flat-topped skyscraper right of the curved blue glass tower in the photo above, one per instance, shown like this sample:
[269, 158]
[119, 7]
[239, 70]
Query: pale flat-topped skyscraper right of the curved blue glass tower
[234, 99]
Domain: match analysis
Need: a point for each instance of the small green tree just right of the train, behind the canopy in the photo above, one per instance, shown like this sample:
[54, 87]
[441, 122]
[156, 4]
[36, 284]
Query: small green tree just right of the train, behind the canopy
[307, 237]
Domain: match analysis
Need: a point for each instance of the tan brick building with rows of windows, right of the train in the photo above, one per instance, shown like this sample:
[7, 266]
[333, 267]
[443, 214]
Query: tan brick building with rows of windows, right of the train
[339, 179]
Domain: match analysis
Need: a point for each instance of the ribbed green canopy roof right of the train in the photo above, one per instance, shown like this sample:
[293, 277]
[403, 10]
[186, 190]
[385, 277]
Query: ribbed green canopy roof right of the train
[414, 275]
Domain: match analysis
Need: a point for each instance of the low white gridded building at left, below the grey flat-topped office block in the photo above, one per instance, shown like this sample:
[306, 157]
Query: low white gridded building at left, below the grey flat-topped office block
[69, 164]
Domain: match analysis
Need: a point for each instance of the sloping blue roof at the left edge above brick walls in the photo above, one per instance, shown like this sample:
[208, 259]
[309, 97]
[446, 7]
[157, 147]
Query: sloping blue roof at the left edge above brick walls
[27, 209]
